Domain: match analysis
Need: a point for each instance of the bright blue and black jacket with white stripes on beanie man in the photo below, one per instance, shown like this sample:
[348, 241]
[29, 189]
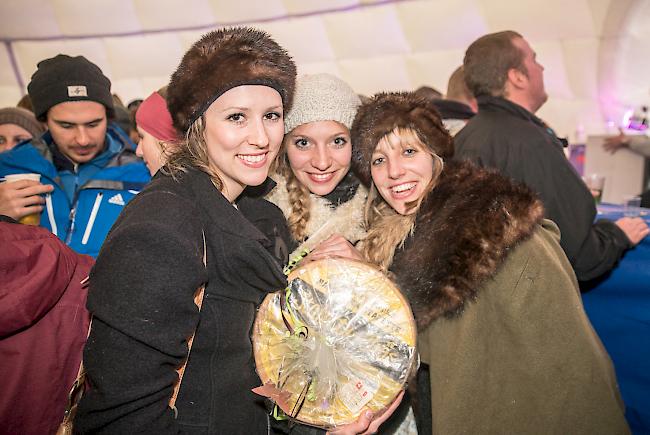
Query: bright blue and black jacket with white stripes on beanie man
[87, 198]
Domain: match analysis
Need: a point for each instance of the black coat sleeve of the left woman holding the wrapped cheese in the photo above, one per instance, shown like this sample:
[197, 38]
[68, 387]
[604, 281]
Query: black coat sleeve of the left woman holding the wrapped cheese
[141, 295]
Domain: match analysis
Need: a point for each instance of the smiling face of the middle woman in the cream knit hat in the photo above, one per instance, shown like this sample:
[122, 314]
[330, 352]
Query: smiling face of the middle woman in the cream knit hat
[319, 154]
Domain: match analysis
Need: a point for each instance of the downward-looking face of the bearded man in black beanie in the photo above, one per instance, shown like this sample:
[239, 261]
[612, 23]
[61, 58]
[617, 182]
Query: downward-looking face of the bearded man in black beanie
[78, 129]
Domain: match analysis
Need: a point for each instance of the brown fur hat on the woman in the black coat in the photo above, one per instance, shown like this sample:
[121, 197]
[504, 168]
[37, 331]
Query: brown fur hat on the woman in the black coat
[222, 60]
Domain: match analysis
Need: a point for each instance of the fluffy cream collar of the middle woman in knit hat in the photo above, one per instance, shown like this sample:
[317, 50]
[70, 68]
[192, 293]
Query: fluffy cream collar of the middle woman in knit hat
[347, 217]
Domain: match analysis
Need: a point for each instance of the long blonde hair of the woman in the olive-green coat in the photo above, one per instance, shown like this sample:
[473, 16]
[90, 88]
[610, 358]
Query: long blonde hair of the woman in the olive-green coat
[387, 229]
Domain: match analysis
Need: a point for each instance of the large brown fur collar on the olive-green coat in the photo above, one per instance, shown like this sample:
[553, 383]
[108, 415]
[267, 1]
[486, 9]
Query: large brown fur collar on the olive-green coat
[463, 232]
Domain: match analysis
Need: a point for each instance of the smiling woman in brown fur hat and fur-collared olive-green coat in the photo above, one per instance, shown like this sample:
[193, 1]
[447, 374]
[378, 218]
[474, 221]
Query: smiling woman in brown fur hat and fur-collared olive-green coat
[502, 327]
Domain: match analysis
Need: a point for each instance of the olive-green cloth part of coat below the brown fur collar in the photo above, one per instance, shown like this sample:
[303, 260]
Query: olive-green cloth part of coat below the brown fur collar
[526, 339]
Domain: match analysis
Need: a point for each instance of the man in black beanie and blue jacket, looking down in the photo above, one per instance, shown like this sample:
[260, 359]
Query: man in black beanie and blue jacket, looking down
[89, 167]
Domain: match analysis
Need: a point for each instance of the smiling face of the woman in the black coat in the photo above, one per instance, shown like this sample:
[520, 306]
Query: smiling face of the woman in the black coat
[243, 132]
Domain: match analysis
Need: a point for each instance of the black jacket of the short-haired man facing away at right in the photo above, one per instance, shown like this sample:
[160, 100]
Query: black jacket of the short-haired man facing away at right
[507, 137]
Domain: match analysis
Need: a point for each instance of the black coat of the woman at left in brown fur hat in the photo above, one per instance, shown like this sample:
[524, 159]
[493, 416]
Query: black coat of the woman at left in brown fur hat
[141, 295]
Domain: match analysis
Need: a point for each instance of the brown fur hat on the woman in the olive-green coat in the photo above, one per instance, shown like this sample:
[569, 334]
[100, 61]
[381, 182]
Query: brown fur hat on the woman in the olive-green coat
[387, 111]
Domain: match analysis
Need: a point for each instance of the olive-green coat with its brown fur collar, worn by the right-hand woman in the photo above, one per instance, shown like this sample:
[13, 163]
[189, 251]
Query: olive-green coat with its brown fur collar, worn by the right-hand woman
[502, 326]
